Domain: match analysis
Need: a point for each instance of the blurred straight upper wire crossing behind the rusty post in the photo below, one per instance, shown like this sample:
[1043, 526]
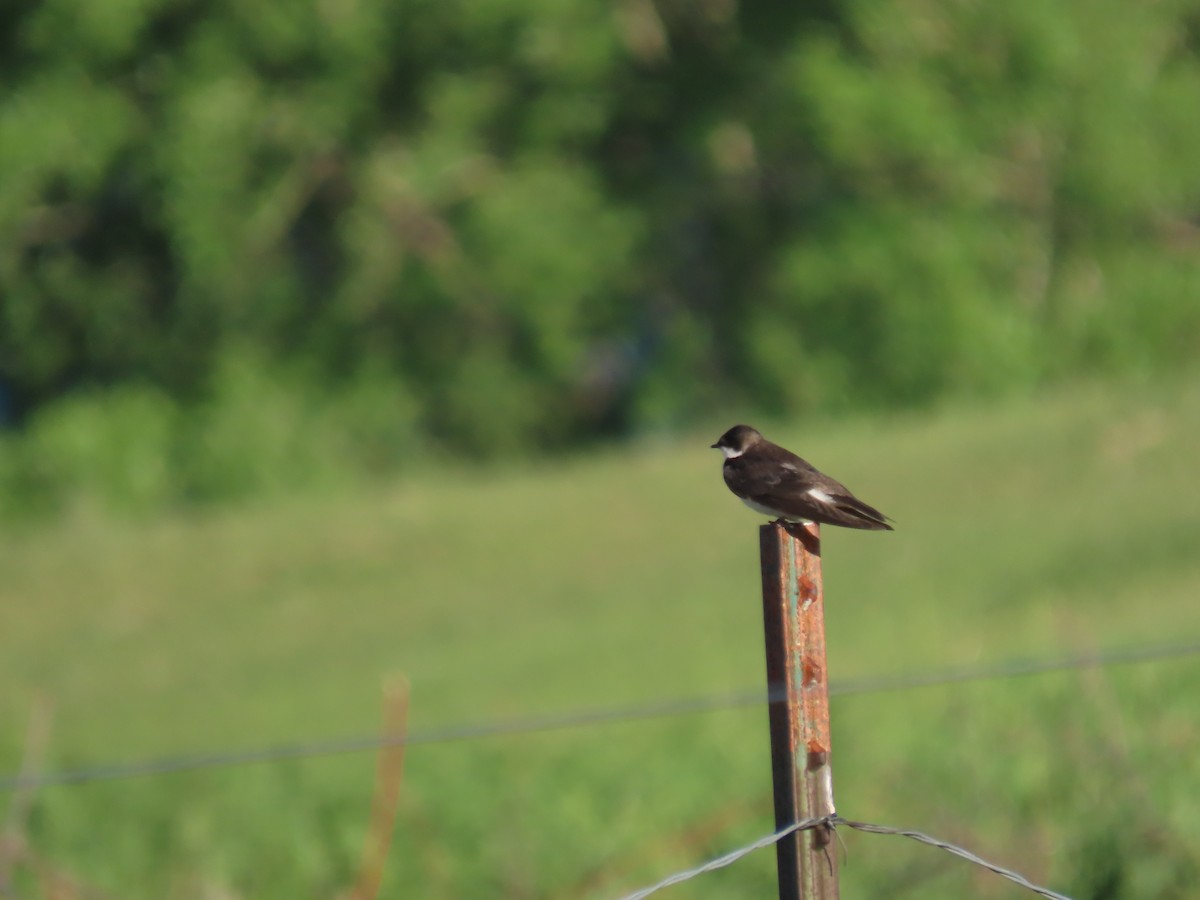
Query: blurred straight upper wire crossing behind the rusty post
[557, 722]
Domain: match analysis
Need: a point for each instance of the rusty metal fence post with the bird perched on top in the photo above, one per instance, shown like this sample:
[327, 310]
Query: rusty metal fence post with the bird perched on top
[797, 681]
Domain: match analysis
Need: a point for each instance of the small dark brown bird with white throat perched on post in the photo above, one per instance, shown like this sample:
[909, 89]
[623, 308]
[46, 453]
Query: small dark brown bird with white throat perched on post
[777, 483]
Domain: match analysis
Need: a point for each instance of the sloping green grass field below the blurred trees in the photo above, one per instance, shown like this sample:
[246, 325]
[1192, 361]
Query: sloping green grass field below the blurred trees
[1064, 524]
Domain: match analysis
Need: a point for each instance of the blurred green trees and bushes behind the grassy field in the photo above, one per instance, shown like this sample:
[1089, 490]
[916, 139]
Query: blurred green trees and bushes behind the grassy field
[527, 225]
